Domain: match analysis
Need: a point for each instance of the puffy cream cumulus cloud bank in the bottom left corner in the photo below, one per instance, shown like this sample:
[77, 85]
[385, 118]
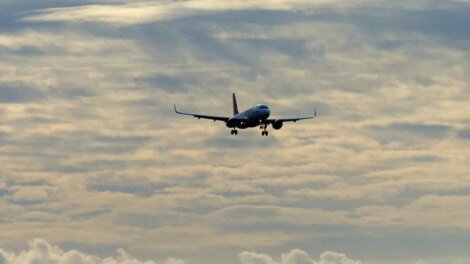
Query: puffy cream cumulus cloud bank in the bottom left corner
[41, 252]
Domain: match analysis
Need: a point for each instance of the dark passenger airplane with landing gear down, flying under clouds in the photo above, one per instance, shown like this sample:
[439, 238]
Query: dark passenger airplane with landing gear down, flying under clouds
[252, 117]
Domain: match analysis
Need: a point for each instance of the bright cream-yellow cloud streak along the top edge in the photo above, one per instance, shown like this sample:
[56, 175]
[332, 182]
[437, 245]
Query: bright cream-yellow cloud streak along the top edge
[145, 12]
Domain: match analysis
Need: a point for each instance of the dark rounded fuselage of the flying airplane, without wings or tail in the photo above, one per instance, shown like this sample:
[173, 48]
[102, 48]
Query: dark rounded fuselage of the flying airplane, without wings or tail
[252, 117]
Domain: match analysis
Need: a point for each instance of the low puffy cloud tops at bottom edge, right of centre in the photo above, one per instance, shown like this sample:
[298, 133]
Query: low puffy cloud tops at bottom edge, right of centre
[295, 256]
